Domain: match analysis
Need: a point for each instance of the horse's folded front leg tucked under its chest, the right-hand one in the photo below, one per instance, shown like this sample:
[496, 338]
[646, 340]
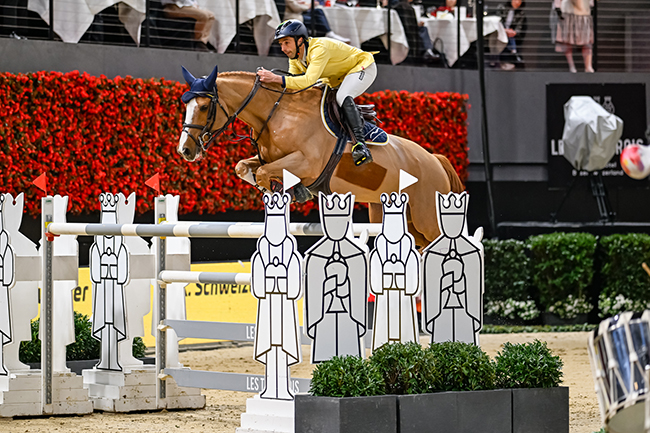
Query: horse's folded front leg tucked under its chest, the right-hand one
[297, 164]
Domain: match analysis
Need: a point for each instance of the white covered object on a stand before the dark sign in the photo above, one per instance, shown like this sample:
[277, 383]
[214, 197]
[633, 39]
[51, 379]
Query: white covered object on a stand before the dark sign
[590, 133]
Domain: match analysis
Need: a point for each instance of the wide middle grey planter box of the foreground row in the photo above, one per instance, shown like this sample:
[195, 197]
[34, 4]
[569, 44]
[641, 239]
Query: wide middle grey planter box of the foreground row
[456, 412]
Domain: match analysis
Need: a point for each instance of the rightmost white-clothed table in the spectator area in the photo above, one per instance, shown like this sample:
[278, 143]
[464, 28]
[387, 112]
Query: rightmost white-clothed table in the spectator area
[446, 30]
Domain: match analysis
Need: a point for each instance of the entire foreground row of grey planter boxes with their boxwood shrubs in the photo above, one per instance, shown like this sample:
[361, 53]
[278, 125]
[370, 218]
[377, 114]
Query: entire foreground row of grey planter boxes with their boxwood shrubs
[458, 382]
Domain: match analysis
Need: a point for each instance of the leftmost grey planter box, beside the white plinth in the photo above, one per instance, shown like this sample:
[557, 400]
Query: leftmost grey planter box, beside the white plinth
[376, 414]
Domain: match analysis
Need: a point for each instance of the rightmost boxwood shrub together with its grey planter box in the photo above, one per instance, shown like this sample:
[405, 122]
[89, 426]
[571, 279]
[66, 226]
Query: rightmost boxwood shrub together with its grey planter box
[533, 373]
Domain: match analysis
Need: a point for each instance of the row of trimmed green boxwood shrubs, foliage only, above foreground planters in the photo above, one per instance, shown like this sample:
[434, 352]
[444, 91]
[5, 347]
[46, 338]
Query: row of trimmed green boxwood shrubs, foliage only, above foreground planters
[452, 366]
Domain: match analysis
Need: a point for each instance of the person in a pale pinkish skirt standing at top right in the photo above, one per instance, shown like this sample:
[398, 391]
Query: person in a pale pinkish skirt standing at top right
[575, 28]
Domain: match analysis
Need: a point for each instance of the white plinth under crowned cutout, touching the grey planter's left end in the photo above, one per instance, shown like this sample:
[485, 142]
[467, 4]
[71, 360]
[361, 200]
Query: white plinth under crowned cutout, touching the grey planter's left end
[266, 416]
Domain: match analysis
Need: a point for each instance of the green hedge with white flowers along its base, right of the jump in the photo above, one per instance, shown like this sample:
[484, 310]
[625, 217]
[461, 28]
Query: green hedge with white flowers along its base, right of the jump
[564, 273]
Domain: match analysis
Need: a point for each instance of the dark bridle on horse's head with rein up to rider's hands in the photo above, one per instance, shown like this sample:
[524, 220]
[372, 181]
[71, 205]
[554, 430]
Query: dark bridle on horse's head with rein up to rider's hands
[207, 136]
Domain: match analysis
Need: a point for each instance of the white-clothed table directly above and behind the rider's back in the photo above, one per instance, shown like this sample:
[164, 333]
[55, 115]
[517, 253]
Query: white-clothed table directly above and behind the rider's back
[360, 24]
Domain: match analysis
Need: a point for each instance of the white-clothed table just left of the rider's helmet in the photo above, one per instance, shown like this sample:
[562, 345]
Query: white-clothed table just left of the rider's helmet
[264, 14]
